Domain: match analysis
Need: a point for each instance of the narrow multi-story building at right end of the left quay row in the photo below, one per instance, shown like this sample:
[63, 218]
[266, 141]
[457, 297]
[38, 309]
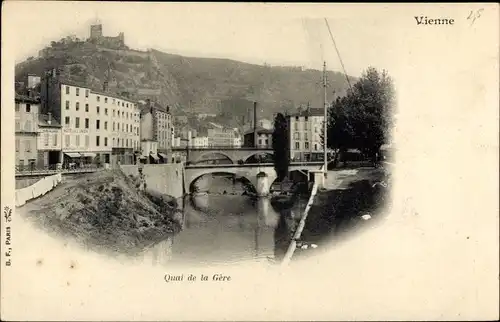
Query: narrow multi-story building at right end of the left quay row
[156, 125]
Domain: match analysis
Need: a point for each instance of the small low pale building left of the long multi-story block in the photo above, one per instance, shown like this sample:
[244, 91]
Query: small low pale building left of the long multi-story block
[49, 142]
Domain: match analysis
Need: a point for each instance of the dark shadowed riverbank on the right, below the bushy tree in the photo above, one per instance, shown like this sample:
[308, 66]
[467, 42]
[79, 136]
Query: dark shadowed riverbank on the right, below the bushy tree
[338, 210]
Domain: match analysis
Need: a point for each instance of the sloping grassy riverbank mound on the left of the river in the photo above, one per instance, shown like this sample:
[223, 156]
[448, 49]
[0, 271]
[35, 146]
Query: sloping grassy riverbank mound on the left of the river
[104, 212]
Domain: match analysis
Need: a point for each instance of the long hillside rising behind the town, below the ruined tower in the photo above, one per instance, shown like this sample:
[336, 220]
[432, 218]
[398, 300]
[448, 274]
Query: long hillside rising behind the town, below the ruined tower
[186, 83]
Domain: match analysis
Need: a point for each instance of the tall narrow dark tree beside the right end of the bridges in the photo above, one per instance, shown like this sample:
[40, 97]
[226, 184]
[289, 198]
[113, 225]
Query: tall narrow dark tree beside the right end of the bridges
[281, 147]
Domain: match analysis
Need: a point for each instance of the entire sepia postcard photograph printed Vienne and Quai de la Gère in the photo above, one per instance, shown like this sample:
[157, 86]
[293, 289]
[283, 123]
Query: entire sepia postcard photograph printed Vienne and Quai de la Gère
[218, 143]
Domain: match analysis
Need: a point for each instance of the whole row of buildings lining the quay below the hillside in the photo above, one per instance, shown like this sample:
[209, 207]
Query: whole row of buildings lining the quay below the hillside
[68, 124]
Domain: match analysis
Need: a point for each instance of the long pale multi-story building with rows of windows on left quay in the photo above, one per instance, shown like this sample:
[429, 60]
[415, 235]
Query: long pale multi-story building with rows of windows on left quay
[97, 126]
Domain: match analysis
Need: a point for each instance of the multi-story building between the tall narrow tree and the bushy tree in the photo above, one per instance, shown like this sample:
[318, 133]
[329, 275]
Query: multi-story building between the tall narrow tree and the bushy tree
[305, 128]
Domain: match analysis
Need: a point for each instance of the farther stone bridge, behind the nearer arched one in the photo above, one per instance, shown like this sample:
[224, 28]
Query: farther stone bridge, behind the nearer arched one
[230, 155]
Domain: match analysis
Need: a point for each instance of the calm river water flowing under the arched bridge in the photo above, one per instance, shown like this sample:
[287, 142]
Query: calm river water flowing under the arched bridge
[226, 227]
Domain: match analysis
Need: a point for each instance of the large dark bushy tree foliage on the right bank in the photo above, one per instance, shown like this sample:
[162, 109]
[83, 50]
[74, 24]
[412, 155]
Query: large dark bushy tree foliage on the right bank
[363, 118]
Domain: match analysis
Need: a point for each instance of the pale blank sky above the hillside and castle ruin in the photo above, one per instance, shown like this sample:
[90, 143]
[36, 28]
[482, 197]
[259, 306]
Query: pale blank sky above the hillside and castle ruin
[277, 34]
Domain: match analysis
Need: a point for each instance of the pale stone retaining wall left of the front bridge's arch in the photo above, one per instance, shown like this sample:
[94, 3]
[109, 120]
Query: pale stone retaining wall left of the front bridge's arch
[163, 178]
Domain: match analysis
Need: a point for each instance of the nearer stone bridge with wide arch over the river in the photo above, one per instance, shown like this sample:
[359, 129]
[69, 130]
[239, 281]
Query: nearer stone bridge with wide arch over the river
[261, 176]
